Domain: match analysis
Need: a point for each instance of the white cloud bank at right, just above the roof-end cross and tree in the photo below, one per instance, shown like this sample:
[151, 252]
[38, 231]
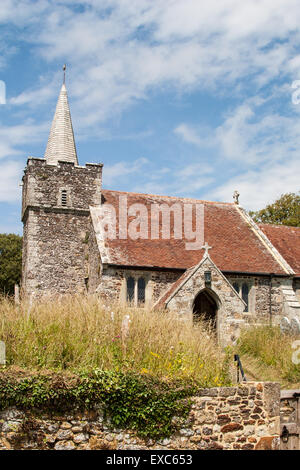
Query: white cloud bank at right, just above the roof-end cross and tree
[261, 150]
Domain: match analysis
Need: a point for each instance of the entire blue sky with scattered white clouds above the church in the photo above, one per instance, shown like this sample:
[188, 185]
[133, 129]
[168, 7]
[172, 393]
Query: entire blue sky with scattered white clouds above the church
[176, 97]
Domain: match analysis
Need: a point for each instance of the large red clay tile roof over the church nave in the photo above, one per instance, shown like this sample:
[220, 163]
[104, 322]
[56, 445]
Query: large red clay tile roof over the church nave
[235, 247]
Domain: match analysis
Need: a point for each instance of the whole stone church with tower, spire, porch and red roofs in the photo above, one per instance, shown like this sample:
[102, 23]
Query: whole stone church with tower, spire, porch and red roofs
[241, 273]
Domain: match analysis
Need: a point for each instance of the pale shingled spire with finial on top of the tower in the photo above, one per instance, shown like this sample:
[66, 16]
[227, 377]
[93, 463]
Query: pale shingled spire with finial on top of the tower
[61, 144]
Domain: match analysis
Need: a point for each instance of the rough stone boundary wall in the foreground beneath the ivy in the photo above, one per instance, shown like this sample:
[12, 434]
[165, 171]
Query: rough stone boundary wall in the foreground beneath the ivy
[244, 417]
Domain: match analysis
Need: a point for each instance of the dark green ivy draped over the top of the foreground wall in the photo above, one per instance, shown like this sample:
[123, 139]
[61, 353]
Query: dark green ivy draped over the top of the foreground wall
[129, 401]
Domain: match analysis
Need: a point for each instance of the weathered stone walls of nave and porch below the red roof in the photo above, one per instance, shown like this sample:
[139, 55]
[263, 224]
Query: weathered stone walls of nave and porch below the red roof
[265, 297]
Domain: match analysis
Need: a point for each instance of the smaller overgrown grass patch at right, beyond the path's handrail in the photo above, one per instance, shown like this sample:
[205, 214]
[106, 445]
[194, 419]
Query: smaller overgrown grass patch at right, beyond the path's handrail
[268, 355]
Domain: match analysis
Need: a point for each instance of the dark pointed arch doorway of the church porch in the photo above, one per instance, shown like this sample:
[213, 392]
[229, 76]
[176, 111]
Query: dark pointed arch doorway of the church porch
[205, 307]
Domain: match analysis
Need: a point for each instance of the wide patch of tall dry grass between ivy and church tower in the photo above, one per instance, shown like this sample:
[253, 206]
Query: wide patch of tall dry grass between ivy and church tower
[80, 333]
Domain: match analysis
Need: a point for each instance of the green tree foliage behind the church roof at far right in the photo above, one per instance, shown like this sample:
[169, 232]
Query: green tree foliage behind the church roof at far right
[284, 211]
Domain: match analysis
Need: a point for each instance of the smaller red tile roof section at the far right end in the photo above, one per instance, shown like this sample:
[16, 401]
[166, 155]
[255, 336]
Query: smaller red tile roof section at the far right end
[287, 241]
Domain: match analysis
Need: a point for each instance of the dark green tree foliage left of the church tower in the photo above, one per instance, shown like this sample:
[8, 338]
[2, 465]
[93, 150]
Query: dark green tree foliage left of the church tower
[10, 261]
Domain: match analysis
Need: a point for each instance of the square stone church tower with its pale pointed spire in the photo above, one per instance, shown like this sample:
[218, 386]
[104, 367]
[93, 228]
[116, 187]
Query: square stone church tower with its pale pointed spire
[57, 194]
